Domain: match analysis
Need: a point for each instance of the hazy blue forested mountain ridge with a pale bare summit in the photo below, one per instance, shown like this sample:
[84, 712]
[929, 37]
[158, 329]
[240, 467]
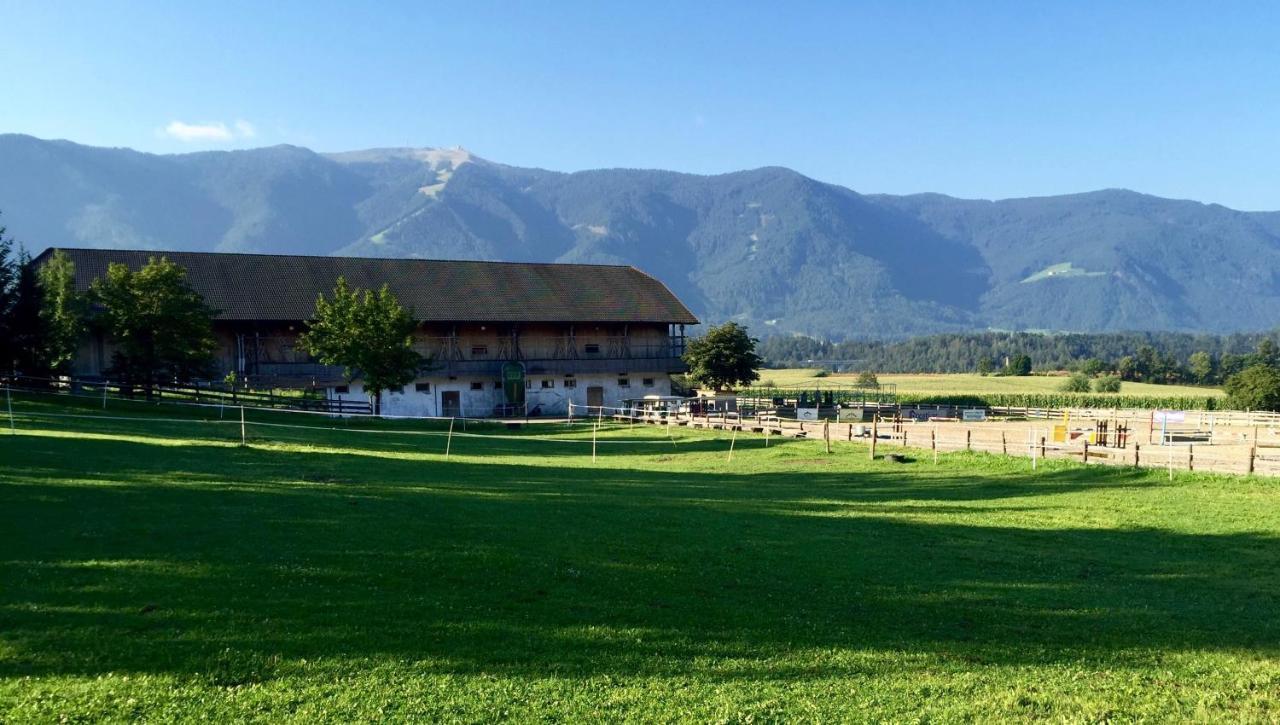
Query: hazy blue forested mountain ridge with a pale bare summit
[769, 248]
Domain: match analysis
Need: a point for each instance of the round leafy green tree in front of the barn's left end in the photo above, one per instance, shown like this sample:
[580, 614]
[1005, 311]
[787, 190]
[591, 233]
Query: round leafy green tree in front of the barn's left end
[162, 329]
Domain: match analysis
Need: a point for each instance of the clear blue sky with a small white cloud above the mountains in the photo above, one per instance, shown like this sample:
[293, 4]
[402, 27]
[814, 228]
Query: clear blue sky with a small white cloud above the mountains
[971, 99]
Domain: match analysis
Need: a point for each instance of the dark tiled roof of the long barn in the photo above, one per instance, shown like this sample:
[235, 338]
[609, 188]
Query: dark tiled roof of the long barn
[278, 288]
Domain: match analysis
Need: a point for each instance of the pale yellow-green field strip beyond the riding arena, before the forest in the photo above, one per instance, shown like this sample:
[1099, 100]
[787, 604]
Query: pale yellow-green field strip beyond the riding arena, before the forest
[926, 384]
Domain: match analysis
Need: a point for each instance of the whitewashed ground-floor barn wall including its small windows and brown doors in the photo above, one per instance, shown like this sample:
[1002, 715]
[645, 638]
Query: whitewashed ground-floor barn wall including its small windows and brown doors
[483, 396]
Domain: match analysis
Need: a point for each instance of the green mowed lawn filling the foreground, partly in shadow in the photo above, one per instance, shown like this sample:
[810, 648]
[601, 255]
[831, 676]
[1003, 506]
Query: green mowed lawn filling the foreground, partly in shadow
[156, 571]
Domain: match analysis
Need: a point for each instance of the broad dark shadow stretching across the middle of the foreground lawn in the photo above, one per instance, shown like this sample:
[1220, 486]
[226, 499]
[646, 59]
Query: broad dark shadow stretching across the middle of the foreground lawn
[236, 564]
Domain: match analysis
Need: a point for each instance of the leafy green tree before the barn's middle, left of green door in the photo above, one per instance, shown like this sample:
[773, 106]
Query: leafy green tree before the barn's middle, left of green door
[369, 335]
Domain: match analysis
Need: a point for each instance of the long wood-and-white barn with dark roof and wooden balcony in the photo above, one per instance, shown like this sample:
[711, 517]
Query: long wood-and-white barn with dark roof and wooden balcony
[593, 335]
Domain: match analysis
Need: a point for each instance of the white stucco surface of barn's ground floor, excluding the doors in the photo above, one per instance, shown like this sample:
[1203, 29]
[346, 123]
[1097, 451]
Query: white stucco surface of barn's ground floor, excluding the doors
[481, 404]
